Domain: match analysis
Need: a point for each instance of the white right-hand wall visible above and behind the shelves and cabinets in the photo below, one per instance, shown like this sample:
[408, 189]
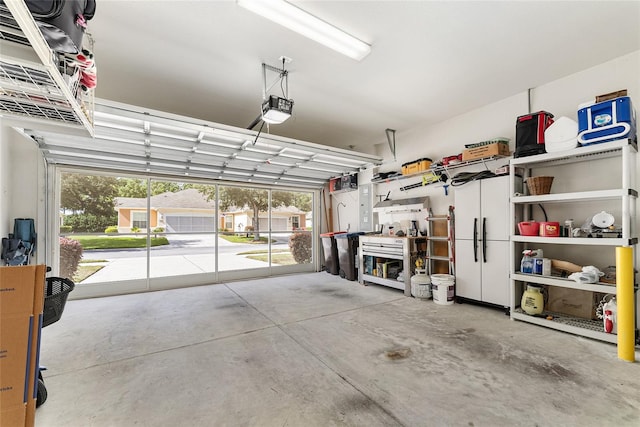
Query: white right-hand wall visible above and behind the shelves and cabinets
[560, 97]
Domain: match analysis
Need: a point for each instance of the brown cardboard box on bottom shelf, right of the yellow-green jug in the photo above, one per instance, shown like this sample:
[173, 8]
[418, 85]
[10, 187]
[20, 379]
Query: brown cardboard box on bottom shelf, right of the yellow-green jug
[573, 302]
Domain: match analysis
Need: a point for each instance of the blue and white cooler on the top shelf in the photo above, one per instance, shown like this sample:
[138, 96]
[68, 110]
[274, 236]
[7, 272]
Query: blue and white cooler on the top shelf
[606, 121]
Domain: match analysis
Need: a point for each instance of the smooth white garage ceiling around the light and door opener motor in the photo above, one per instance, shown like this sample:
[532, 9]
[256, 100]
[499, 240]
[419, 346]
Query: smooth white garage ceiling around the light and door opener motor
[429, 61]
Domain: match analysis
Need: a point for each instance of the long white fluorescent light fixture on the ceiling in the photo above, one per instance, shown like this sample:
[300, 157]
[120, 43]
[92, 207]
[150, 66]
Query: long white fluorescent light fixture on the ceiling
[296, 19]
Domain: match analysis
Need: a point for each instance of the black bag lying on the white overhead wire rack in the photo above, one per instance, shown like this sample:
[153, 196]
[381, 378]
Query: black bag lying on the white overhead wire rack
[62, 22]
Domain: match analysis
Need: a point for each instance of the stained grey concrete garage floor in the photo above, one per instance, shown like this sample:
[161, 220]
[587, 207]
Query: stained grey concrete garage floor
[317, 350]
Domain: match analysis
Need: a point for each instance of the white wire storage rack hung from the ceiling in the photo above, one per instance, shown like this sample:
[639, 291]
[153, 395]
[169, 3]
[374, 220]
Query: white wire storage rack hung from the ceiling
[33, 88]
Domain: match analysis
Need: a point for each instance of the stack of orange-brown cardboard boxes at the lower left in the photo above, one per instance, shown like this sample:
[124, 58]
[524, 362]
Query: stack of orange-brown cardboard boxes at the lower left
[21, 307]
